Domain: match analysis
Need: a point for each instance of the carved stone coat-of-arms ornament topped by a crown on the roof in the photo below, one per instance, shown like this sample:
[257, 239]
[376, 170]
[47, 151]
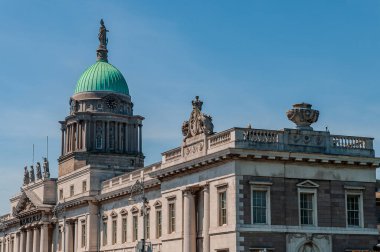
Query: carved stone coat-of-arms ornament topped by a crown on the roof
[198, 123]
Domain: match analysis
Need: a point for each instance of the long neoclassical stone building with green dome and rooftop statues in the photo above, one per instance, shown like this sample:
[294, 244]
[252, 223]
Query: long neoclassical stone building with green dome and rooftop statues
[242, 189]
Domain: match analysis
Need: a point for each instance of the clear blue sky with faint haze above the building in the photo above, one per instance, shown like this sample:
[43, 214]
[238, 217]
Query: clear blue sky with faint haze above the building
[249, 61]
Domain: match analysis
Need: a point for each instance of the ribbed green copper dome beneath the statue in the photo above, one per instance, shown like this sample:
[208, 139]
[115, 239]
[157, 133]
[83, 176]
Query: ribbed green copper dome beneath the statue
[102, 76]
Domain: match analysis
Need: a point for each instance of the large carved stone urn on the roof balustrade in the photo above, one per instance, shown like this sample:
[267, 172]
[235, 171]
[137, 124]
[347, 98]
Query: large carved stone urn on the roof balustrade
[303, 115]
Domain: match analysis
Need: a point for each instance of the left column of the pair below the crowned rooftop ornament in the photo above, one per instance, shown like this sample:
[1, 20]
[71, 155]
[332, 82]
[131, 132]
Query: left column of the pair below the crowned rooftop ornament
[189, 232]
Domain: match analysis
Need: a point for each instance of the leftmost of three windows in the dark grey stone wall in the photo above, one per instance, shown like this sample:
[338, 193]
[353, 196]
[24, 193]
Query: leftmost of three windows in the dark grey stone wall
[259, 207]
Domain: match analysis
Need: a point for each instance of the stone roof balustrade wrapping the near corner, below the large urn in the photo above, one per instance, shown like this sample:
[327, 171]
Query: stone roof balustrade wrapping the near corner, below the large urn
[290, 140]
